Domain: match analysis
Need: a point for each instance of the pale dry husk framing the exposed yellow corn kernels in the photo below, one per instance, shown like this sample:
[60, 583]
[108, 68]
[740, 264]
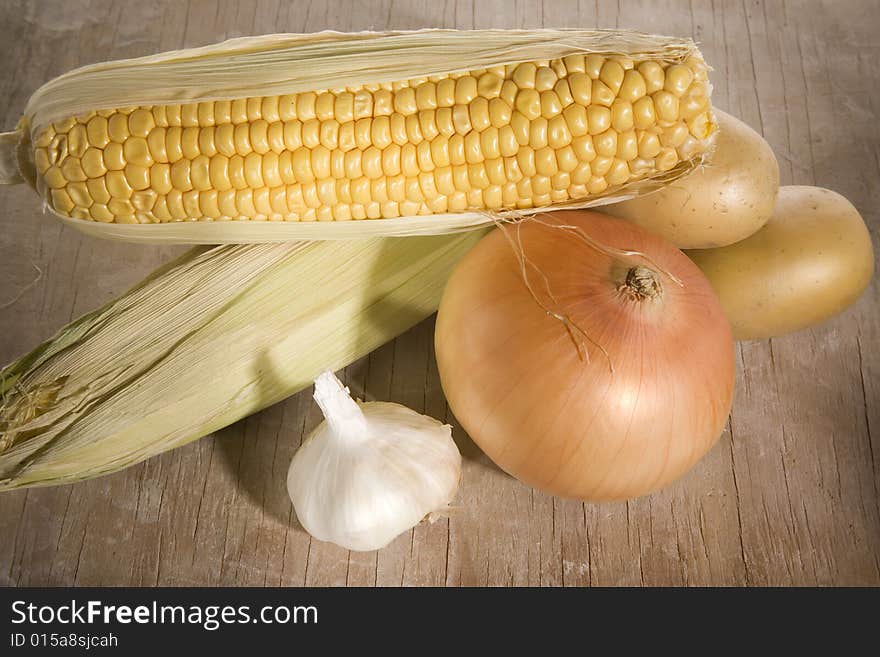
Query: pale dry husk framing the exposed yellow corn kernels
[292, 63]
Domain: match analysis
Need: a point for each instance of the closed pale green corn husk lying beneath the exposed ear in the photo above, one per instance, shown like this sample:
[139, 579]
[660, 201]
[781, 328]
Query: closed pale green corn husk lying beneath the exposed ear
[204, 341]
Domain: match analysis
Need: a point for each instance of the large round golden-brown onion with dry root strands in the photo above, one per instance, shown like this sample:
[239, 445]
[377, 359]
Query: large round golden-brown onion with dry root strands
[581, 370]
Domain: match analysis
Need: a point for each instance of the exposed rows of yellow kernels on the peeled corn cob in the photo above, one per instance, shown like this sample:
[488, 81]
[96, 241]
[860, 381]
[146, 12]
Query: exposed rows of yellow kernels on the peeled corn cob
[522, 135]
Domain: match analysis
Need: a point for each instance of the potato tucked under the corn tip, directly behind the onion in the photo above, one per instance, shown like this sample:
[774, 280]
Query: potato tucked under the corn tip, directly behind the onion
[718, 204]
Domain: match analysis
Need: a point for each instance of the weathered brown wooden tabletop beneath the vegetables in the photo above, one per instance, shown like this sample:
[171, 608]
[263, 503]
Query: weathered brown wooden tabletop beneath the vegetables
[788, 496]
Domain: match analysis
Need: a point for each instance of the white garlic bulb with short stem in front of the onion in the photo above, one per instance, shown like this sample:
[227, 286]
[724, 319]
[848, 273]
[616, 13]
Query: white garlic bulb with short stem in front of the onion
[371, 470]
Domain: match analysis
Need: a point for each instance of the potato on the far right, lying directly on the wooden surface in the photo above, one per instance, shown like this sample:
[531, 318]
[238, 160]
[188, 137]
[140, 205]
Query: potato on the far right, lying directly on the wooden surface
[811, 260]
